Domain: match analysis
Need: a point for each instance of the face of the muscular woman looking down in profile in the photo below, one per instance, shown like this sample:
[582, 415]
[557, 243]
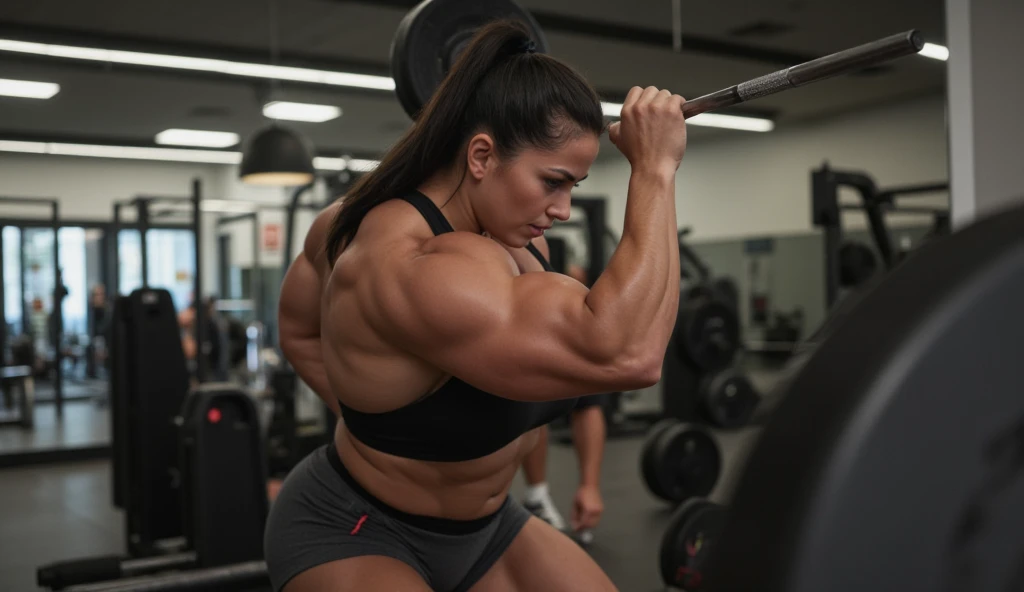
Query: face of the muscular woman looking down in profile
[519, 199]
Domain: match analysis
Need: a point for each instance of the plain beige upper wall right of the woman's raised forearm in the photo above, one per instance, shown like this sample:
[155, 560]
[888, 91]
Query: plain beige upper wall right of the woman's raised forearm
[756, 185]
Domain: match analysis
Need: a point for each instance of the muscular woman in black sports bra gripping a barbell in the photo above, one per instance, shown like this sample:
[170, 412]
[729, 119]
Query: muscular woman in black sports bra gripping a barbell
[411, 318]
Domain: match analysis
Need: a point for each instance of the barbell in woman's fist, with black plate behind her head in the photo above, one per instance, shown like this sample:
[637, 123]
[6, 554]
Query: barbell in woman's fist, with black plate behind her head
[434, 34]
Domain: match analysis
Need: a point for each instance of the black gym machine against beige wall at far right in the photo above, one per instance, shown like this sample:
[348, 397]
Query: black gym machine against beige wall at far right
[849, 265]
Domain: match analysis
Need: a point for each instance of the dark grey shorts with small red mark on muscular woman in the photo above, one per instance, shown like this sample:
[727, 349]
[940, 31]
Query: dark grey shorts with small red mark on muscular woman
[322, 515]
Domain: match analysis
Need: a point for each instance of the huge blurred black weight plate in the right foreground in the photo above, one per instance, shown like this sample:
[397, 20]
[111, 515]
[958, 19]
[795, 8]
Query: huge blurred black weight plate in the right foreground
[897, 461]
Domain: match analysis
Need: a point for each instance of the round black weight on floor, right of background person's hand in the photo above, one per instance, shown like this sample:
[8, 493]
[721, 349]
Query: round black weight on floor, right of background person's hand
[687, 462]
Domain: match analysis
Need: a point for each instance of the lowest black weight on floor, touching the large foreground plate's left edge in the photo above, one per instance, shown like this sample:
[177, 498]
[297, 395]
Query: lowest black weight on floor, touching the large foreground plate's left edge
[689, 540]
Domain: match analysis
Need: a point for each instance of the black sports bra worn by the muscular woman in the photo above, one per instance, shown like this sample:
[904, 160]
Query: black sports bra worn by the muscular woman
[458, 422]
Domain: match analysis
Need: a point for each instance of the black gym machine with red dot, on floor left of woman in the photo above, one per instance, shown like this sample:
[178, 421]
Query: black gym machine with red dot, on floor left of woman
[203, 559]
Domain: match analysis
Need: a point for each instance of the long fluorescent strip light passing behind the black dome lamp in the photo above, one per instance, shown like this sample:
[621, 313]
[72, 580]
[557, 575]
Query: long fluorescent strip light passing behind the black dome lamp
[174, 155]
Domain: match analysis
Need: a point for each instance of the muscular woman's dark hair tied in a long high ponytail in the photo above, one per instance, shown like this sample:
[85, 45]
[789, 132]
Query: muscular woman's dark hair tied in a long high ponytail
[498, 84]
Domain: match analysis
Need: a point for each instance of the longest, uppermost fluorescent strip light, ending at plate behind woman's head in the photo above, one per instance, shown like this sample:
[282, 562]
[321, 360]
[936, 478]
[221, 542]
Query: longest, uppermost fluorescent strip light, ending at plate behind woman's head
[201, 65]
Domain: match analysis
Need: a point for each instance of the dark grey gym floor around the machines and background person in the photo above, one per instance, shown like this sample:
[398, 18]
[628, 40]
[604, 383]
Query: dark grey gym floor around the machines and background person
[58, 513]
